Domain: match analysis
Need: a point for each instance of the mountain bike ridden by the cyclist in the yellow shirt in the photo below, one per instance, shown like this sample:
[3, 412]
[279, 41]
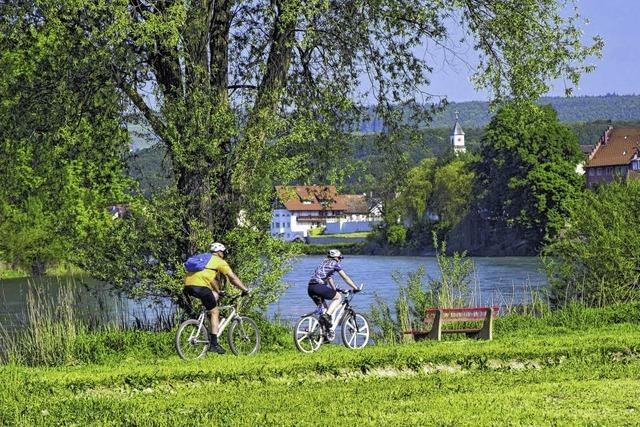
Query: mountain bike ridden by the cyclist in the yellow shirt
[192, 337]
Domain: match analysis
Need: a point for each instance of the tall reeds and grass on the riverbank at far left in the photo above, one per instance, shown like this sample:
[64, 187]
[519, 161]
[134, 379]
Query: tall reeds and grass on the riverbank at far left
[58, 329]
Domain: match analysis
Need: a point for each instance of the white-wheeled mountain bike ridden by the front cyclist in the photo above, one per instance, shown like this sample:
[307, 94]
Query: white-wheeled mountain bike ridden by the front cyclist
[309, 333]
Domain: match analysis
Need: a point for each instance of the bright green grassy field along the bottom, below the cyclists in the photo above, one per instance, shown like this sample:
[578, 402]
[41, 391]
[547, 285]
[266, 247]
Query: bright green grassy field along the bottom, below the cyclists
[548, 375]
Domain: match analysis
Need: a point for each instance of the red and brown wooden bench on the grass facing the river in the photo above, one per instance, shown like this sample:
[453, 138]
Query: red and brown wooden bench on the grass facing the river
[439, 316]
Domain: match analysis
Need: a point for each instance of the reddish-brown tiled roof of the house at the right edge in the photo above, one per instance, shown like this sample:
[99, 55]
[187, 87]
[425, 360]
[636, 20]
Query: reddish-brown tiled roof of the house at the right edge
[620, 147]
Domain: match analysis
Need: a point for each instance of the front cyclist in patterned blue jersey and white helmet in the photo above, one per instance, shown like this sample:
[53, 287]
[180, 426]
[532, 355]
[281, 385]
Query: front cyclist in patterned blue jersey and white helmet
[322, 287]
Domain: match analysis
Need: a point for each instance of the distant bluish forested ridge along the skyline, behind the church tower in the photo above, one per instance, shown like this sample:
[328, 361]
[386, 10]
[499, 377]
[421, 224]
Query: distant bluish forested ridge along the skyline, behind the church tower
[576, 109]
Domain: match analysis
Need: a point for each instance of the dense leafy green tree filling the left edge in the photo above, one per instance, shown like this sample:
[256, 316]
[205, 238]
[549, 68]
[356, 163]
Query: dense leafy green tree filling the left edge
[61, 143]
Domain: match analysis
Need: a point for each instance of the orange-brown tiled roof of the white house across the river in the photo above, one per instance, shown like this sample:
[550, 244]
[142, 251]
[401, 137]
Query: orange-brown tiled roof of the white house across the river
[310, 198]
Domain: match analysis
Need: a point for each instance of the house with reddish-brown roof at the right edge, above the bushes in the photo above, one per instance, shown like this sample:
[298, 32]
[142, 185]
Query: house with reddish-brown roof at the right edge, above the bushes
[615, 156]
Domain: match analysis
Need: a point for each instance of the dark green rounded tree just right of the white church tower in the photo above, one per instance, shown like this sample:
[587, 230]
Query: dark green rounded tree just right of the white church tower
[527, 172]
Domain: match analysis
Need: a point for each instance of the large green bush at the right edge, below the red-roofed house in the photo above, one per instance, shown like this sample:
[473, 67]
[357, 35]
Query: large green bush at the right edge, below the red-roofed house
[595, 259]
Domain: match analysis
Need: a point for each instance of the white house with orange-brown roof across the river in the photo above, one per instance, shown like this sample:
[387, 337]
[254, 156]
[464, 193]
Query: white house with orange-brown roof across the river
[300, 208]
